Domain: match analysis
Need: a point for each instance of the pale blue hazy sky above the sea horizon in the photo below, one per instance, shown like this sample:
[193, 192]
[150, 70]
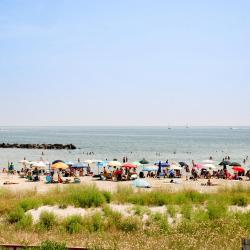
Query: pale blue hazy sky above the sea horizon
[124, 62]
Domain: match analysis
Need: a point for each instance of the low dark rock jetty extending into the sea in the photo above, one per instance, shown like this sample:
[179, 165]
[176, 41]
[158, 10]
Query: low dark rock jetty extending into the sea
[38, 146]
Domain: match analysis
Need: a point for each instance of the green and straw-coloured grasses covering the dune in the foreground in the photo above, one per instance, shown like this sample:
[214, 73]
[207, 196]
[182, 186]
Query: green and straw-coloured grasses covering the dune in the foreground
[190, 220]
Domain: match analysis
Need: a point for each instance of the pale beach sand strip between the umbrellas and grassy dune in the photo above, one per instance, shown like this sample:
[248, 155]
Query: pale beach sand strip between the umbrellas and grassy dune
[41, 186]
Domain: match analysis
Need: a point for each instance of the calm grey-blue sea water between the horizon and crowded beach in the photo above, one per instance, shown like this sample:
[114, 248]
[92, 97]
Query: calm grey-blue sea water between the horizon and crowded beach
[152, 143]
